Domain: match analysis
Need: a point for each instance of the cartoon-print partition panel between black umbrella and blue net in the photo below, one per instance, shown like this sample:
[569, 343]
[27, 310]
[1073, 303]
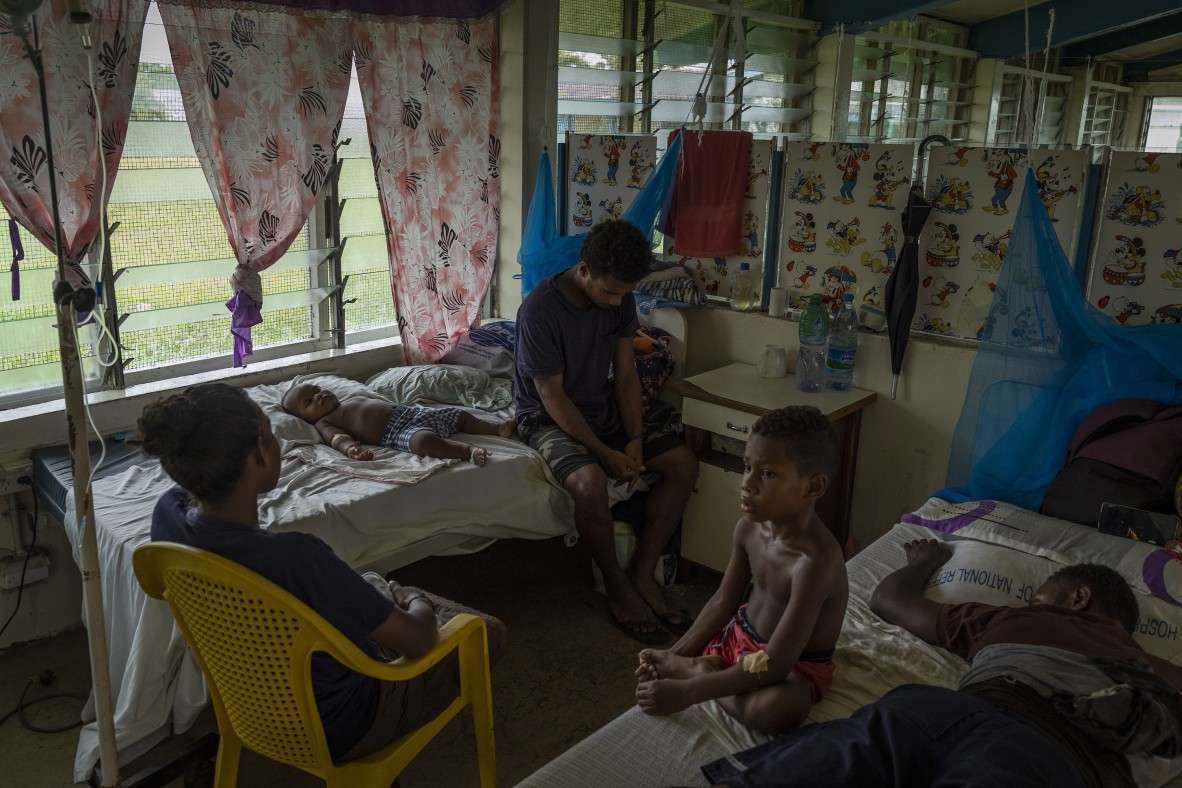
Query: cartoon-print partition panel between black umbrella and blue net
[976, 193]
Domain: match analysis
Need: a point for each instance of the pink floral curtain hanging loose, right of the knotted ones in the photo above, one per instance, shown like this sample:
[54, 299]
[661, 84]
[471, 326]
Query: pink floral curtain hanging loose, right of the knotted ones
[430, 90]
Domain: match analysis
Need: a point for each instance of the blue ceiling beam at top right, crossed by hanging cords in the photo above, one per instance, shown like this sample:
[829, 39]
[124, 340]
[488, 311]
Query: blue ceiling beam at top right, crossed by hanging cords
[1075, 21]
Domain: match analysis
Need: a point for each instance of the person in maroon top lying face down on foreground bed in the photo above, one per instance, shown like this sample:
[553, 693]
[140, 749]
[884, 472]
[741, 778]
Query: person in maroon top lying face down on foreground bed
[1057, 695]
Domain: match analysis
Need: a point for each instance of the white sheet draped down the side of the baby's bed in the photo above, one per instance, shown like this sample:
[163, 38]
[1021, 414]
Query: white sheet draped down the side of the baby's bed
[157, 686]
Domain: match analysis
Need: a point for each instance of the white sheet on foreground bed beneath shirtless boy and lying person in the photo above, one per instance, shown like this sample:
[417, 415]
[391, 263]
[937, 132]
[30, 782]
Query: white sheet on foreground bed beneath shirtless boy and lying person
[873, 657]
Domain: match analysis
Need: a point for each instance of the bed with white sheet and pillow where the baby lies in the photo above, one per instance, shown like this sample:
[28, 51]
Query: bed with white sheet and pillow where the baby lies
[378, 516]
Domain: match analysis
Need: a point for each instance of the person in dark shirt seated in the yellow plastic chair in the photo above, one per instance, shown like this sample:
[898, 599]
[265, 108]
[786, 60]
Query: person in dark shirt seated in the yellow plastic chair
[217, 445]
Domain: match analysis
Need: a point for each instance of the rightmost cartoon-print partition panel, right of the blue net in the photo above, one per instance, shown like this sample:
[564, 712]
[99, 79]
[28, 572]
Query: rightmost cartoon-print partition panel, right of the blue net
[1136, 269]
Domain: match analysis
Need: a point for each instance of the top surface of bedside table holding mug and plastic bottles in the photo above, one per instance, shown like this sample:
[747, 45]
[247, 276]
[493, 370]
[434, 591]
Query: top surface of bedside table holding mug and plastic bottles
[742, 388]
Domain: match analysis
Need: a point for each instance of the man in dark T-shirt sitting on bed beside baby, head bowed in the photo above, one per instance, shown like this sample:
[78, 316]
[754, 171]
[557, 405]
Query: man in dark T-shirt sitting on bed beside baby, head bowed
[579, 405]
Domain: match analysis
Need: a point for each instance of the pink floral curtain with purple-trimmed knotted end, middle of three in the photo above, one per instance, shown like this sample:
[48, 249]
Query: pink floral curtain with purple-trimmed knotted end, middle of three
[264, 92]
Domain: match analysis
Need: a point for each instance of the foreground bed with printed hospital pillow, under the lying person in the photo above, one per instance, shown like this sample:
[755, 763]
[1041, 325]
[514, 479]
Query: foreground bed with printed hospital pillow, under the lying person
[1001, 555]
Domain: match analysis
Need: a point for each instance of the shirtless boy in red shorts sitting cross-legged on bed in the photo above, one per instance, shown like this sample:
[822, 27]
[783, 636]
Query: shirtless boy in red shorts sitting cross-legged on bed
[770, 660]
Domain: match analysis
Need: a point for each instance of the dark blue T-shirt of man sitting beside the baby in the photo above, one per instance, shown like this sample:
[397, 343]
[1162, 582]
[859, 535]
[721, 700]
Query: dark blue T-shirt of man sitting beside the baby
[555, 336]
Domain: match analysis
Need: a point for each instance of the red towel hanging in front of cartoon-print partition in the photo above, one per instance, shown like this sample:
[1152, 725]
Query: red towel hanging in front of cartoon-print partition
[705, 216]
